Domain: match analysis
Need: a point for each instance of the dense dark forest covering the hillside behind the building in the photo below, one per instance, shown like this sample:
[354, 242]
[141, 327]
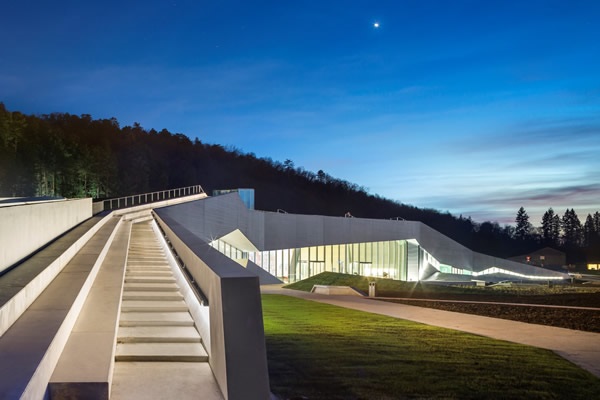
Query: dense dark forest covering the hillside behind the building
[77, 156]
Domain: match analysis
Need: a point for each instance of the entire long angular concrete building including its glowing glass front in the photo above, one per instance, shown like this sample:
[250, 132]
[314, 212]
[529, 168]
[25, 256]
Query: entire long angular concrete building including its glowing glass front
[293, 247]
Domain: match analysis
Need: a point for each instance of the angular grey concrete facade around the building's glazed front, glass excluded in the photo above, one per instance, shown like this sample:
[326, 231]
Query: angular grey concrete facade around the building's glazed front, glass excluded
[428, 254]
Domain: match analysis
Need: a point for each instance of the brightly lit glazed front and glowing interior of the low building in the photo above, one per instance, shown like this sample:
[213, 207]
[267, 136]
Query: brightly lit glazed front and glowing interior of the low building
[402, 260]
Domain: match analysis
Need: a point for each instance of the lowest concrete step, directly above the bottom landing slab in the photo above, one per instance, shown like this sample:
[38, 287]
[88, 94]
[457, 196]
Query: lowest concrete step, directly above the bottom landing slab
[161, 352]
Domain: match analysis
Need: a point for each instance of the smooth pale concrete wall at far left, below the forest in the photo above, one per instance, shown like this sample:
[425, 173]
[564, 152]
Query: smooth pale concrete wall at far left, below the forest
[27, 227]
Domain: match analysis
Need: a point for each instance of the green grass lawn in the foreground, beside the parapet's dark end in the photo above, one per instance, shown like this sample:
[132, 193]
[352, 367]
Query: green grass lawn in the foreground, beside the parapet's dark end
[319, 351]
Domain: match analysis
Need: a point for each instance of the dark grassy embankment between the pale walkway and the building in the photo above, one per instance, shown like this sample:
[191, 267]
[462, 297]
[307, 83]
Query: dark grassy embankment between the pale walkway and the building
[563, 295]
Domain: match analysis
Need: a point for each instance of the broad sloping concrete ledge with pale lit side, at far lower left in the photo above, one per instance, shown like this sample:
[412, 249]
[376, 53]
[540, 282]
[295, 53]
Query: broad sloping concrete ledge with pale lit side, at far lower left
[31, 347]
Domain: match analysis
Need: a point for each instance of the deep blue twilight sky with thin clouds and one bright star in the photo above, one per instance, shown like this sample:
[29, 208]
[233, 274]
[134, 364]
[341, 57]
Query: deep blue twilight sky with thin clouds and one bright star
[472, 107]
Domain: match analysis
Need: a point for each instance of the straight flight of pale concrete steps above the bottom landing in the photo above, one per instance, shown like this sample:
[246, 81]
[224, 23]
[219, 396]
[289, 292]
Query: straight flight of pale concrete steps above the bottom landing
[155, 323]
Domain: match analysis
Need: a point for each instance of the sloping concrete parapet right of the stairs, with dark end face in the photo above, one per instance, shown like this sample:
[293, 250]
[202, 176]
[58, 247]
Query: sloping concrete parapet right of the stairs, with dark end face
[236, 343]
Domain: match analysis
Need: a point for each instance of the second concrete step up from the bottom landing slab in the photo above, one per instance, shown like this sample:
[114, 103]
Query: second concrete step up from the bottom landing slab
[158, 334]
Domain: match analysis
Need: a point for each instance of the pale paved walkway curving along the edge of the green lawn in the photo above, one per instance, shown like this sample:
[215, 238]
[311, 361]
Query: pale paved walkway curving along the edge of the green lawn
[579, 347]
